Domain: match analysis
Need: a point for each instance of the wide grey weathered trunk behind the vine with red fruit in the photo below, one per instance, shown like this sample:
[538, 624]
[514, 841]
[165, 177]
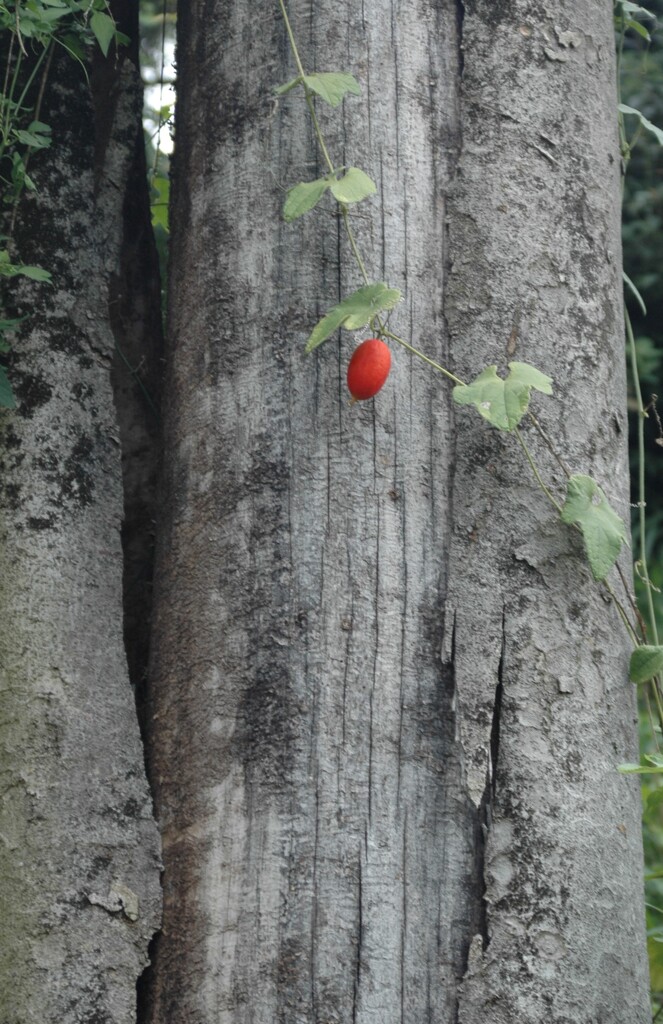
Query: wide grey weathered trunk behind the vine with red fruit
[388, 704]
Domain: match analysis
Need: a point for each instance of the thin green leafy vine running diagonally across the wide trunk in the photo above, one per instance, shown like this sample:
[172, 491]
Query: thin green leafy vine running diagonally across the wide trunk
[503, 402]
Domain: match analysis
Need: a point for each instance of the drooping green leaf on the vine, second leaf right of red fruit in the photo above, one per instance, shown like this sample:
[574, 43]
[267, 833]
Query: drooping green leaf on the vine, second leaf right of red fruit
[603, 531]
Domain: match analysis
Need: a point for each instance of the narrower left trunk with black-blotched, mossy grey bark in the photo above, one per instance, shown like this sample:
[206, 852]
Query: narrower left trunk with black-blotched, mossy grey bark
[80, 858]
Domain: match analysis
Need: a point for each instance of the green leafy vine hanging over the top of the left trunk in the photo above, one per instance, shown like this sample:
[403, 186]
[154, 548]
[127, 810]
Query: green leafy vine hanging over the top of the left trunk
[34, 29]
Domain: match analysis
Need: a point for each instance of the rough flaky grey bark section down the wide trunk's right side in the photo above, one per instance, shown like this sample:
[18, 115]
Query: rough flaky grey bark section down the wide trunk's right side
[540, 658]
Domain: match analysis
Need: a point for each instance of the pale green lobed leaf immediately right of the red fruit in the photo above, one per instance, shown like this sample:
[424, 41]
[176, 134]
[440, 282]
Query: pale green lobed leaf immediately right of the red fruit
[504, 402]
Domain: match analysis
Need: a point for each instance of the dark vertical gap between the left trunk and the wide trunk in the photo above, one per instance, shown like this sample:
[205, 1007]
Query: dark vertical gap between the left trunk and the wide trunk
[135, 314]
